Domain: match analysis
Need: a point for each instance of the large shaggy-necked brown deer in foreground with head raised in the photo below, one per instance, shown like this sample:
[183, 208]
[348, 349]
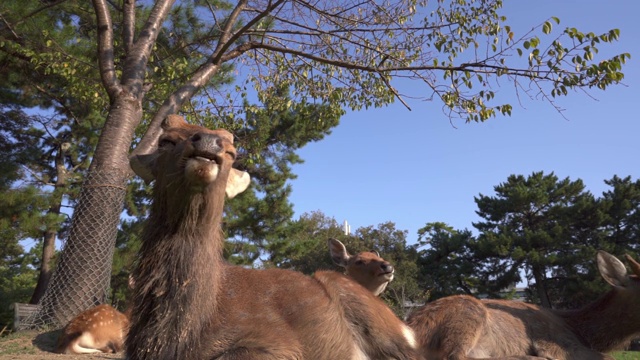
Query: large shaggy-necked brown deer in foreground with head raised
[190, 304]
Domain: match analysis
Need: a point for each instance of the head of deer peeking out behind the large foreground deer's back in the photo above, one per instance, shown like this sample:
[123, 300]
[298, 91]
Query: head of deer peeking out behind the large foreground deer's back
[367, 268]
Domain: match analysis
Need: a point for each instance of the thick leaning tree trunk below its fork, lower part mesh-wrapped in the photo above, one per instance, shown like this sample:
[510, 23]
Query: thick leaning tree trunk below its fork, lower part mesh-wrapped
[83, 274]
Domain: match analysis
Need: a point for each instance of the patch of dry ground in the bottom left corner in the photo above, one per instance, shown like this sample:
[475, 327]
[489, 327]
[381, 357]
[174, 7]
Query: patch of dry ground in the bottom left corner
[30, 345]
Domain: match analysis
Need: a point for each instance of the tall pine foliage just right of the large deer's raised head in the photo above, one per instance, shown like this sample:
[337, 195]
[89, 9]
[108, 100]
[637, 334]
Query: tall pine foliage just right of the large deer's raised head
[268, 141]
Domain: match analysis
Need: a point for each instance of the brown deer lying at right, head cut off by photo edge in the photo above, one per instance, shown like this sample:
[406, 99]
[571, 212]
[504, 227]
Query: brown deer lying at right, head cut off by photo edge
[463, 327]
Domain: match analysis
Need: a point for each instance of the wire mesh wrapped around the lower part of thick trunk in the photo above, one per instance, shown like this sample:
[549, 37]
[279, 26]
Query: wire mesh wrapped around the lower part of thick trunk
[82, 276]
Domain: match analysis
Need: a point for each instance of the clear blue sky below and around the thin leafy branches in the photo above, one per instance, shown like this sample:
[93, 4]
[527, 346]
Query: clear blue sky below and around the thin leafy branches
[415, 167]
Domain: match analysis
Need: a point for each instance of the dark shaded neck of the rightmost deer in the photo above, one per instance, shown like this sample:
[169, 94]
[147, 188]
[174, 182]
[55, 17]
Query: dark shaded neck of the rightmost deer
[603, 325]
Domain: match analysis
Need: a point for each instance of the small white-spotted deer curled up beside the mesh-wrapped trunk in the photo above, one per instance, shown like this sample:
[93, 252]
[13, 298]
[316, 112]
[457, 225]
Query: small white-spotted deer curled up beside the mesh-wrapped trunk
[101, 328]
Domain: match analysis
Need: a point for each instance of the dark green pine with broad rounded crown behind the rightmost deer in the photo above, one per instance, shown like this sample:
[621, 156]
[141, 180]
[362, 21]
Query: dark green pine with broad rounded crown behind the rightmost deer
[535, 225]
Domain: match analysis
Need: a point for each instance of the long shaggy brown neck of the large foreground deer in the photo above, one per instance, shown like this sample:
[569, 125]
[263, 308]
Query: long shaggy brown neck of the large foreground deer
[180, 269]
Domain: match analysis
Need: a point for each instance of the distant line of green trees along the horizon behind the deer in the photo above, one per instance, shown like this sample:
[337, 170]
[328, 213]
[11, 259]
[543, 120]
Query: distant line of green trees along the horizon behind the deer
[537, 229]
